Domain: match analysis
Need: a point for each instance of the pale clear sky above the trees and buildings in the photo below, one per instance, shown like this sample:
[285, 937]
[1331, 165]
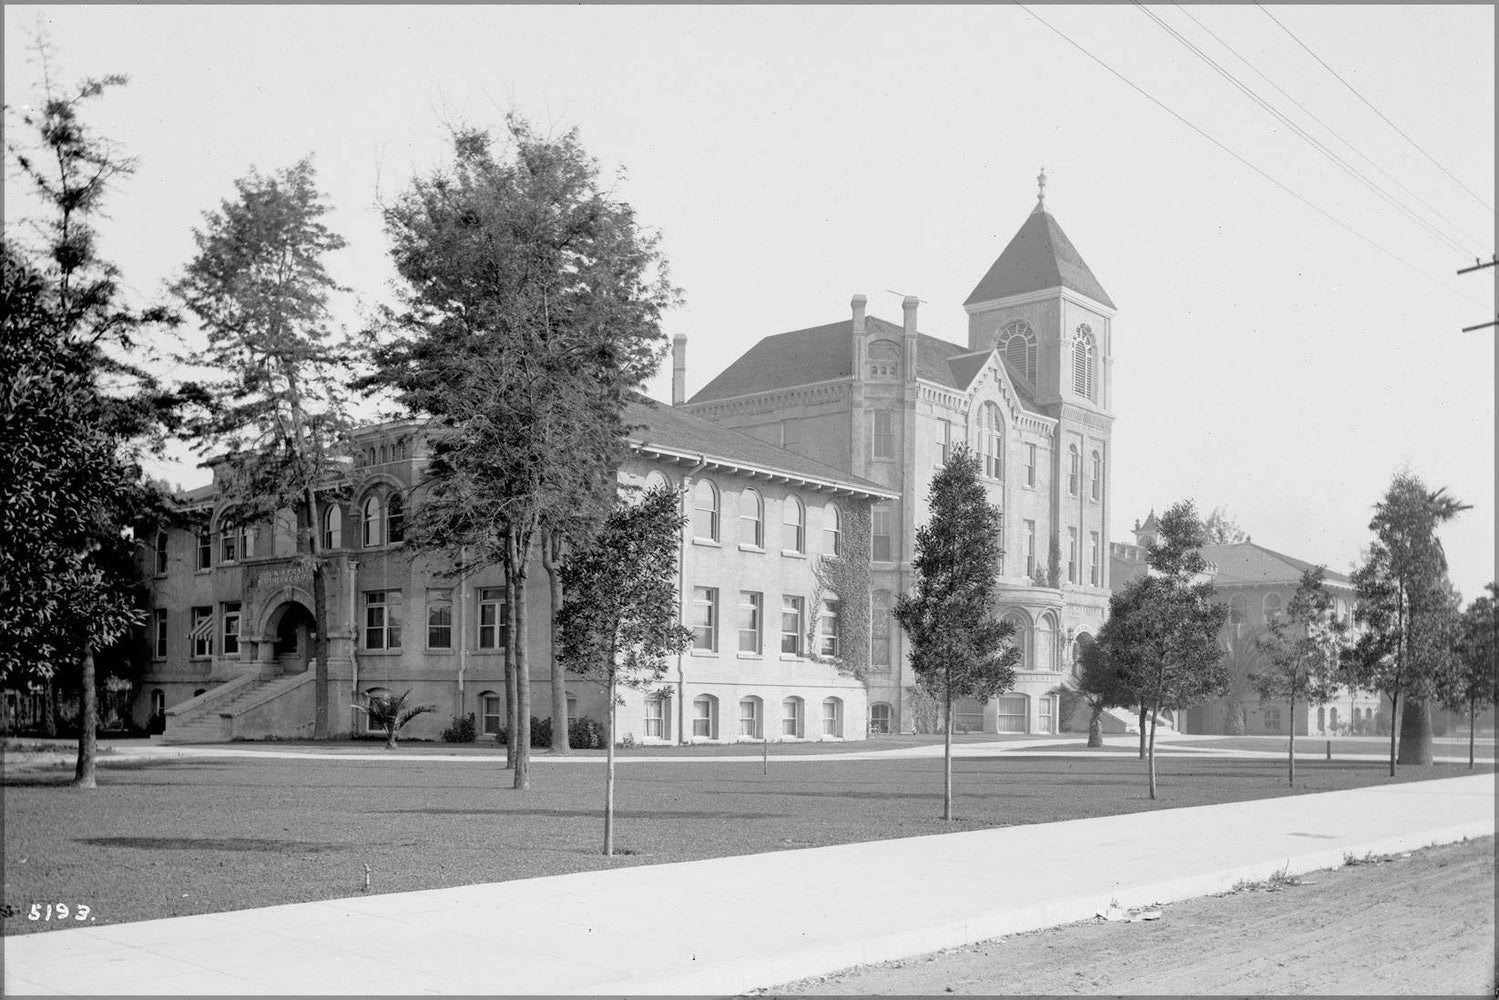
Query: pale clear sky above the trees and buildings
[1288, 338]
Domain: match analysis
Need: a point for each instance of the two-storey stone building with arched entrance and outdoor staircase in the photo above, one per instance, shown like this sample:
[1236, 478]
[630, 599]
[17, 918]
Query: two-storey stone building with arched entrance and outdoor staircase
[776, 651]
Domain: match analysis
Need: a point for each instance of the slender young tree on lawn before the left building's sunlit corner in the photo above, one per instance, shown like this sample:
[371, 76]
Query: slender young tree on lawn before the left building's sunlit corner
[620, 623]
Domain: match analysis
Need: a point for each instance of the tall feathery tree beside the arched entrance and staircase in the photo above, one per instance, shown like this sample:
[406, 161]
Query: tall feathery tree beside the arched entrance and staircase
[274, 410]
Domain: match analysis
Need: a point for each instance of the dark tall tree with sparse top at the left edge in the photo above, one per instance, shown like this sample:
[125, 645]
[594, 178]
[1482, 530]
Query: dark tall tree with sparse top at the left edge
[76, 416]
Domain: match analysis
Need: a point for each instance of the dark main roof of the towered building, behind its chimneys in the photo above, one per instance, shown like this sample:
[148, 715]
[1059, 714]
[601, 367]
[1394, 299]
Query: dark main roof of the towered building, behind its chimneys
[821, 355]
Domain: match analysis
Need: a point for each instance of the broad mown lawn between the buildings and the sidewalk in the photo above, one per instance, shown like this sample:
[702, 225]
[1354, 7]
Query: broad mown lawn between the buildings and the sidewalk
[179, 837]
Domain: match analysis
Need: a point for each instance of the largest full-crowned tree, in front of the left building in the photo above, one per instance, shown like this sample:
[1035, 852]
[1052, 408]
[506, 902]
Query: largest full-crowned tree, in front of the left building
[531, 314]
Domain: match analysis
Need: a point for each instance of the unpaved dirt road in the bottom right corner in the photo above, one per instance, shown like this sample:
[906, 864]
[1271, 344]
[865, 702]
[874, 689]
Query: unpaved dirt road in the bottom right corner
[1419, 924]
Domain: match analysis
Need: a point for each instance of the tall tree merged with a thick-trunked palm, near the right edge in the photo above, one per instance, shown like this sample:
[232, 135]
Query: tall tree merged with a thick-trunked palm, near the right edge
[1404, 605]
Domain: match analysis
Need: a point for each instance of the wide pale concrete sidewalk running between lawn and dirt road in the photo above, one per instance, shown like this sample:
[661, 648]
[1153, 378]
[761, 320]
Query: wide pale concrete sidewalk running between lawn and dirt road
[734, 924]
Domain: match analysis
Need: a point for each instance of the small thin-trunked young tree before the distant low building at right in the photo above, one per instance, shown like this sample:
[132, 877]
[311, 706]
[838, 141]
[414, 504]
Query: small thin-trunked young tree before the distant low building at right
[1303, 648]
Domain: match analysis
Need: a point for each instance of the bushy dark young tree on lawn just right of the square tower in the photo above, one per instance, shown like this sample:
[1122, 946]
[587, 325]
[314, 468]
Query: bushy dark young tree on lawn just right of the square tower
[1164, 626]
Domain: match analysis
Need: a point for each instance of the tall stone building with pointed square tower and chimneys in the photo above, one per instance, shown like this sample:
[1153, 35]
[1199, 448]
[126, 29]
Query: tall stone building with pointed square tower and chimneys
[1031, 392]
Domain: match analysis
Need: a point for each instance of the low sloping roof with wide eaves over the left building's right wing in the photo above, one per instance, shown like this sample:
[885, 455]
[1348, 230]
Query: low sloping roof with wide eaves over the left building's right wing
[671, 431]
